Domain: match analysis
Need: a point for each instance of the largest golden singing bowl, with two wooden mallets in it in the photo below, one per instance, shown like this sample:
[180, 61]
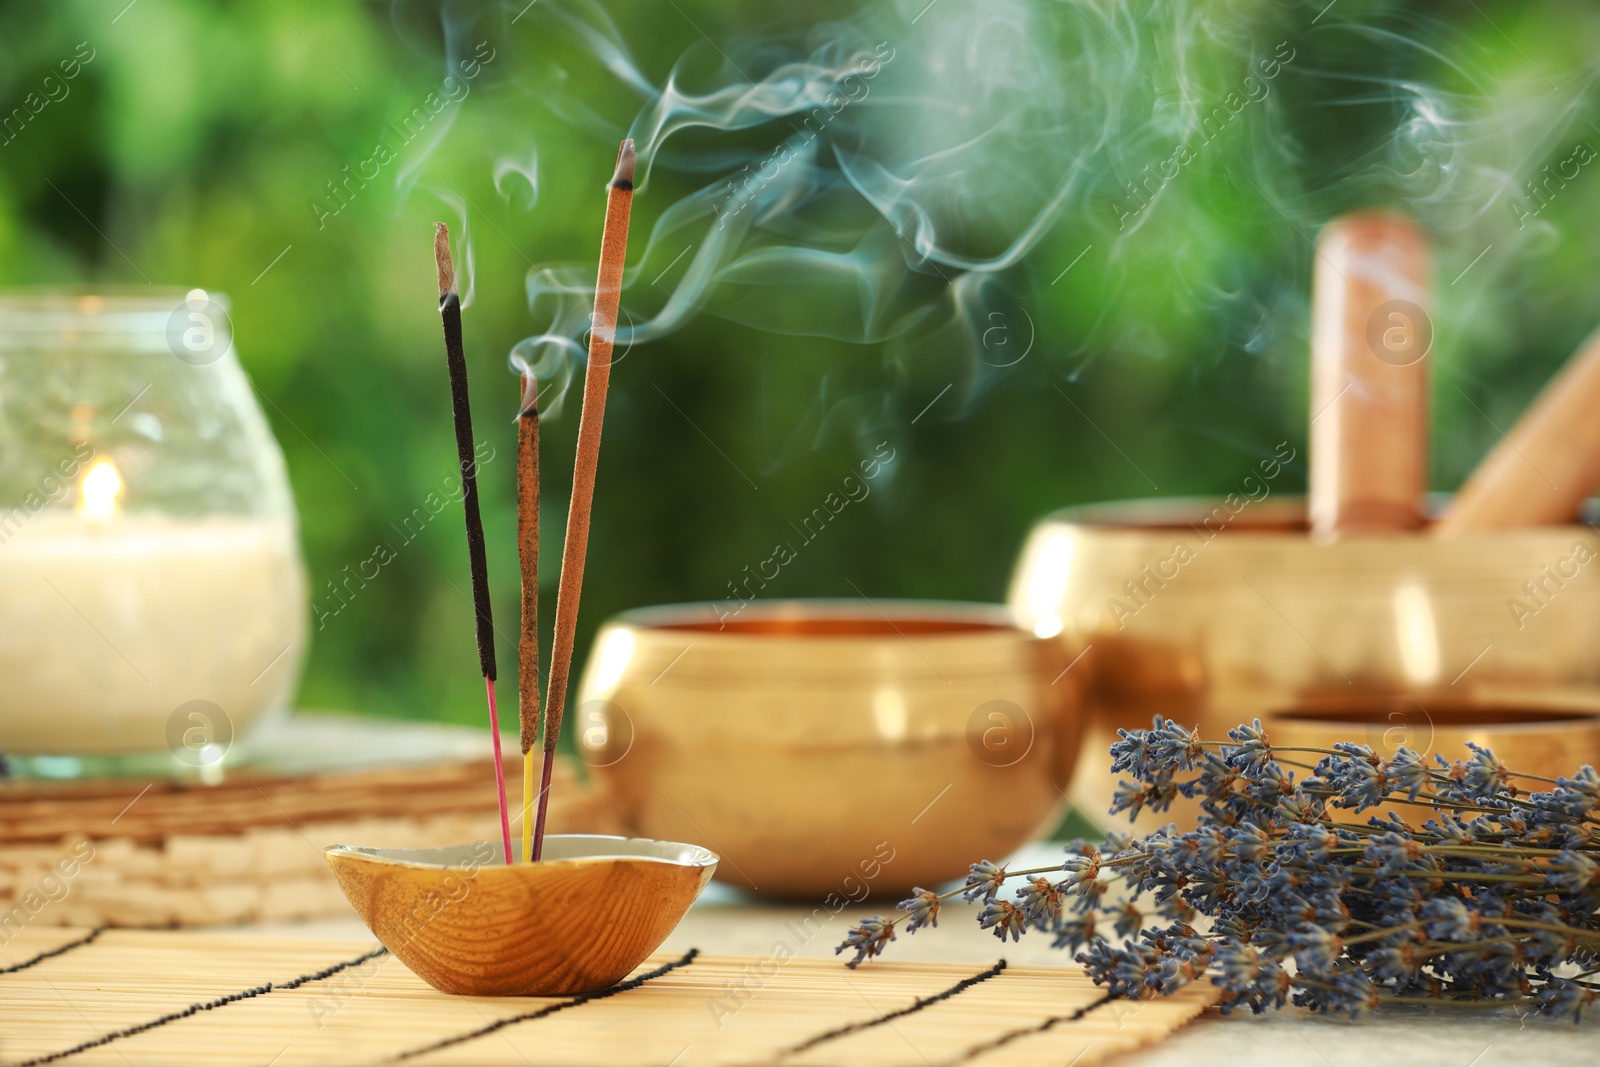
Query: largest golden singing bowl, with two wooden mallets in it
[1220, 612]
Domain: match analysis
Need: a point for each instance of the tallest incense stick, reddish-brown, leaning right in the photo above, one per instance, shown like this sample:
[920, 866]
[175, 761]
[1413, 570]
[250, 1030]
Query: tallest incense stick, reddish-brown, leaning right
[602, 335]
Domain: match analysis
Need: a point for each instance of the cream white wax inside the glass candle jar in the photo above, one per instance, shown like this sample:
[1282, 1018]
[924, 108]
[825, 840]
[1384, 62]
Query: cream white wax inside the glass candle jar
[106, 628]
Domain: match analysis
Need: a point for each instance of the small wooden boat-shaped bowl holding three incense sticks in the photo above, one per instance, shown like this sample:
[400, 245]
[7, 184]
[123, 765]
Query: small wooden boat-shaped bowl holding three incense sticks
[578, 921]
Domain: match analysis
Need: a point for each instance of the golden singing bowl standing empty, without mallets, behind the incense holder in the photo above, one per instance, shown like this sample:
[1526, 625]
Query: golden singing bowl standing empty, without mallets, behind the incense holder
[831, 749]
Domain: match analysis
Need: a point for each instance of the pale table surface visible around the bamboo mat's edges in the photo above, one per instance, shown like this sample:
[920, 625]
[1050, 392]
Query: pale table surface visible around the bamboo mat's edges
[1412, 1037]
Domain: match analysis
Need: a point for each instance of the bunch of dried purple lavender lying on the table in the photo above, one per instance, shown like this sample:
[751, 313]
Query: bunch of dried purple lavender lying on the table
[1490, 901]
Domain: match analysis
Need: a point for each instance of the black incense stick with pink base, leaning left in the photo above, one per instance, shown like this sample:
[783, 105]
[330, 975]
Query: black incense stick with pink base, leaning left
[457, 361]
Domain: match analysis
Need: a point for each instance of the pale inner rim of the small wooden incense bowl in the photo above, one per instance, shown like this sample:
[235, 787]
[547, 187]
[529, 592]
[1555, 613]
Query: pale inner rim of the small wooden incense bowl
[561, 850]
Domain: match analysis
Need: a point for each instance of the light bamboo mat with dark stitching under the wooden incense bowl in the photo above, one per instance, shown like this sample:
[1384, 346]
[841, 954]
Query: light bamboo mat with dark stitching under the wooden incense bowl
[169, 999]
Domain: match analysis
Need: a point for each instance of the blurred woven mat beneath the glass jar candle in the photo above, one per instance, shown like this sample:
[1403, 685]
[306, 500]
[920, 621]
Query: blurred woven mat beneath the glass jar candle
[249, 849]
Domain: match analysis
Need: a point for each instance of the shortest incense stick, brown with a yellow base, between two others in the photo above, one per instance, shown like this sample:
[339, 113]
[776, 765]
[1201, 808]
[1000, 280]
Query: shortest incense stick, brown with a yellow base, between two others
[529, 556]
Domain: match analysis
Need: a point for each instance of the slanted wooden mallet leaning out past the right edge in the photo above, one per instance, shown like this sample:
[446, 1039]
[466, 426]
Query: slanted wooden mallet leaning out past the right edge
[1548, 466]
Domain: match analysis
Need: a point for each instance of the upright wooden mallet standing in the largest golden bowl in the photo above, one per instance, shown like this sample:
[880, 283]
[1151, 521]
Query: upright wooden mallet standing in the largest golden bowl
[1369, 380]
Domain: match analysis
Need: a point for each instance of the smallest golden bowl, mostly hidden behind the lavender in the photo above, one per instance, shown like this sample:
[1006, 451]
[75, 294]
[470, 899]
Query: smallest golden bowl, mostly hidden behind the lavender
[1545, 743]
